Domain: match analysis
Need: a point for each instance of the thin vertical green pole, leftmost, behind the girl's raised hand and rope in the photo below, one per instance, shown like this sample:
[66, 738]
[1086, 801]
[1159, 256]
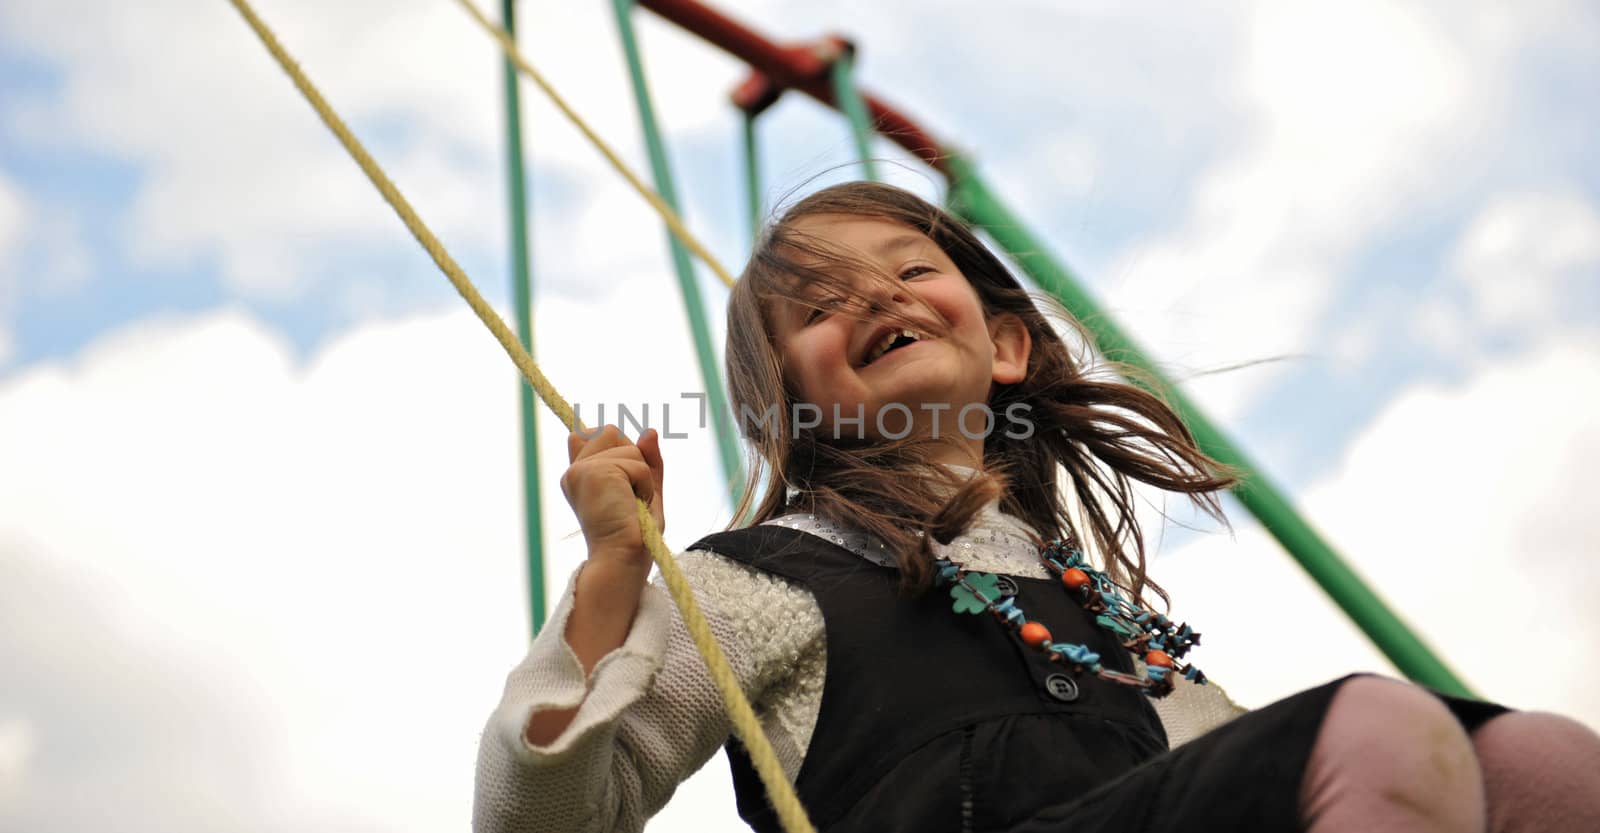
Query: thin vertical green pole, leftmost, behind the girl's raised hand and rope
[522, 298]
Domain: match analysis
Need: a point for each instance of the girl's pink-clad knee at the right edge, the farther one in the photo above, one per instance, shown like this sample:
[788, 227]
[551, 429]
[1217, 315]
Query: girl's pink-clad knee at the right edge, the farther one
[1540, 773]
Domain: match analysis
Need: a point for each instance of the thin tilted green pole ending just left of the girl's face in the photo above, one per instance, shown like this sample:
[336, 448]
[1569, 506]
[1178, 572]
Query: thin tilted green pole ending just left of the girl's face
[718, 402]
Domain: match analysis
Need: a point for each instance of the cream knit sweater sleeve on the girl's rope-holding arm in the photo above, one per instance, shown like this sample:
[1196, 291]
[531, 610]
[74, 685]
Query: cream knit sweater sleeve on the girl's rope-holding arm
[649, 714]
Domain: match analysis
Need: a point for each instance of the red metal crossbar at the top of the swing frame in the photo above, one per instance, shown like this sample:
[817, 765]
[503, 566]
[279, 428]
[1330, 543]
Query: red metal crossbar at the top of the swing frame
[799, 68]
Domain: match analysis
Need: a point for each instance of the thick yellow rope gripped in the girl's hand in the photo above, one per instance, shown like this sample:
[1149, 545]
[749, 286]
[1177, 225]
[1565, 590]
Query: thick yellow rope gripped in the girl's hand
[745, 722]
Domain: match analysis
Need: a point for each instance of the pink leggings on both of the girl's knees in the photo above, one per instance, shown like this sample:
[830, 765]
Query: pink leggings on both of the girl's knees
[1393, 759]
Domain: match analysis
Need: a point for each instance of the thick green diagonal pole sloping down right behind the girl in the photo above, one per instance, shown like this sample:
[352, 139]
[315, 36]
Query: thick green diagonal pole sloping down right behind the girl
[972, 199]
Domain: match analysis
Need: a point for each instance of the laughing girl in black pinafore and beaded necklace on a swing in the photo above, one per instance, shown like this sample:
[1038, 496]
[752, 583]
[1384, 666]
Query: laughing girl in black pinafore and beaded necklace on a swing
[930, 450]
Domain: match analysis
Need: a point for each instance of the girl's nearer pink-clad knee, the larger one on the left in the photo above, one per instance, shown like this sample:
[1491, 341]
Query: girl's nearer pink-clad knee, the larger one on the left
[1391, 757]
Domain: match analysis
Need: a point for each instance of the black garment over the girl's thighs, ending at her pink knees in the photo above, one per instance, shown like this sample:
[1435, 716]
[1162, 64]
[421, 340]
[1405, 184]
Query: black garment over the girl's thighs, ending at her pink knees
[1242, 776]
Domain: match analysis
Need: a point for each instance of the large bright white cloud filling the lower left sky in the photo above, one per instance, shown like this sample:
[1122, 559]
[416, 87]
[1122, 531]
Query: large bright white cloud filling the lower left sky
[294, 589]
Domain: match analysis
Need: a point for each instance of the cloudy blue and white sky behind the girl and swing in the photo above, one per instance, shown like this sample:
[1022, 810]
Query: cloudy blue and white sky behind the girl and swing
[260, 551]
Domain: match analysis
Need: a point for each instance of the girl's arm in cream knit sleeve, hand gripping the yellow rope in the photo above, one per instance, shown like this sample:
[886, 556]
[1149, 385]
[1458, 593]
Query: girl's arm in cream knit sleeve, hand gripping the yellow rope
[614, 707]
